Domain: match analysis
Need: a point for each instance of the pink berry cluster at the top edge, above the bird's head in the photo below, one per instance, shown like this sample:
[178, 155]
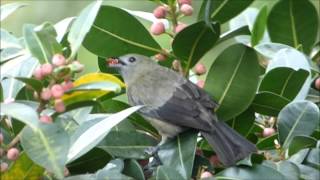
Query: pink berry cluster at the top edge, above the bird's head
[171, 12]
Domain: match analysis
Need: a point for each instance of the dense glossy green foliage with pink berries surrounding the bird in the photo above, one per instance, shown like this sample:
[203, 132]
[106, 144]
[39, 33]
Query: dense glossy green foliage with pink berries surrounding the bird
[58, 124]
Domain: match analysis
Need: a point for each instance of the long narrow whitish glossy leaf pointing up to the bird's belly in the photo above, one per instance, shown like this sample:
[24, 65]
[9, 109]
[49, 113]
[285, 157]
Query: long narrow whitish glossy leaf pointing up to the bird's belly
[86, 138]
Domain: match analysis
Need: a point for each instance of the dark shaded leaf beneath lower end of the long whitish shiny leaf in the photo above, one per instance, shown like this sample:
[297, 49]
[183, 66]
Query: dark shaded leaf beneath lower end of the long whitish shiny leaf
[90, 162]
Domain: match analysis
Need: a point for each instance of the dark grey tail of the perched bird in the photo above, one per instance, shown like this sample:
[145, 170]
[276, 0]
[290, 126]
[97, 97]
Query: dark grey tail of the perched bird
[229, 145]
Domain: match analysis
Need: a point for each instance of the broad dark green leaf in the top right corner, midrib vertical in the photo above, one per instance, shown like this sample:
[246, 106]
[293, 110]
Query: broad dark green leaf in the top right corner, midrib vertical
[293, 23]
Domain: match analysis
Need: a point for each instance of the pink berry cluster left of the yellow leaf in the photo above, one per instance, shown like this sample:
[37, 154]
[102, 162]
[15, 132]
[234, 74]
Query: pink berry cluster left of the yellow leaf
[57, 76]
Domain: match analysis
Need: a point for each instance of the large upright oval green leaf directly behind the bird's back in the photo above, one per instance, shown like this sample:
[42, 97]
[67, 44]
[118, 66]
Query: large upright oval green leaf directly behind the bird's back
[233, 80]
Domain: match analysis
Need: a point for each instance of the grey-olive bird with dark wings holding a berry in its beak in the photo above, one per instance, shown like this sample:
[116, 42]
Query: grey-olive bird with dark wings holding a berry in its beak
[173, 104]
